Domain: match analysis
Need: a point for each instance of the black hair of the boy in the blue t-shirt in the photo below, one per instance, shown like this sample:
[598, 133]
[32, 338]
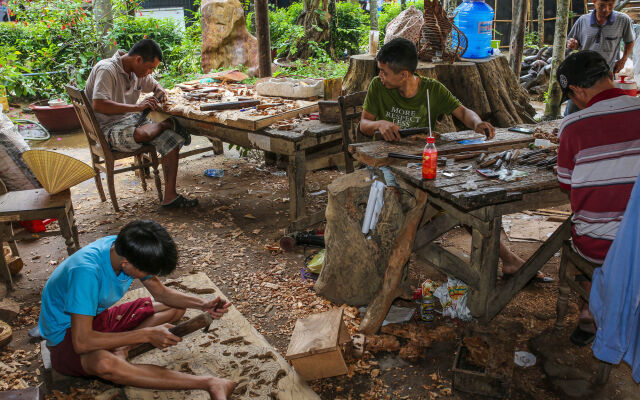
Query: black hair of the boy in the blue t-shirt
[148, 247]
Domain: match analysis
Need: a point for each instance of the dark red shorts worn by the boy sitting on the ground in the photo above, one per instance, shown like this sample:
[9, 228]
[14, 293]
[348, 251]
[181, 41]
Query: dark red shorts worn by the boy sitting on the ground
[122, 318]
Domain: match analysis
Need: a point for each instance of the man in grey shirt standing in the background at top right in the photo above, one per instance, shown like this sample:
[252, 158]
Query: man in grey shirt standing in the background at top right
[602, 31]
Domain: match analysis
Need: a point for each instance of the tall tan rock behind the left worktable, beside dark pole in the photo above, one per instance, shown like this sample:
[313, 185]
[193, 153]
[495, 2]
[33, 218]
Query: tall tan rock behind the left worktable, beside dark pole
[226, 42]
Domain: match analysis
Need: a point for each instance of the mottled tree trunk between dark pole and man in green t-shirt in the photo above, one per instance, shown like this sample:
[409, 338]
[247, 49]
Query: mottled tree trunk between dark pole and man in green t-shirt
[315, 19]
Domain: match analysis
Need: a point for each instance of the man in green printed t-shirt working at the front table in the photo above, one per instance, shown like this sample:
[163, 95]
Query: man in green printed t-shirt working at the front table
[397, 97]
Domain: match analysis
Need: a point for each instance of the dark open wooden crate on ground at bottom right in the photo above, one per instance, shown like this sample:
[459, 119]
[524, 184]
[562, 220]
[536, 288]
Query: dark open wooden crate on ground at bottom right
[487, 381]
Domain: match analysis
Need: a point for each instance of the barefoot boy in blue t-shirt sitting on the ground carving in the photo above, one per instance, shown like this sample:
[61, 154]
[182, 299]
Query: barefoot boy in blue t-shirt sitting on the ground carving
[88, 336]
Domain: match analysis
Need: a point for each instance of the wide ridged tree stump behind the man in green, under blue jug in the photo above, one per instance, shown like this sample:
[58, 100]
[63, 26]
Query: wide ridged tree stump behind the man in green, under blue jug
[487, 86]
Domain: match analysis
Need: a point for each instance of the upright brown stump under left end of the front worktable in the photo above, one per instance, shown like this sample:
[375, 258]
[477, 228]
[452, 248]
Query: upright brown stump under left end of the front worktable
[355, 264]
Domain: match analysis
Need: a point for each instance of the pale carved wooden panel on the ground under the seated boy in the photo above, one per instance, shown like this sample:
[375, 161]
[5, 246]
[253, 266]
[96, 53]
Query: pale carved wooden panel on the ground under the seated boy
[232, 349]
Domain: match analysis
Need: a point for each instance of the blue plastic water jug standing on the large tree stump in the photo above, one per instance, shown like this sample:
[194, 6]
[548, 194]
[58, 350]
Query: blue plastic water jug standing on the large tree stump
[475, 20]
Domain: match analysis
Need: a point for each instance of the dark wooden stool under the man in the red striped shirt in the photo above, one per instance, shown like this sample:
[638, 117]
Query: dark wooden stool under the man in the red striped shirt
[566, 283]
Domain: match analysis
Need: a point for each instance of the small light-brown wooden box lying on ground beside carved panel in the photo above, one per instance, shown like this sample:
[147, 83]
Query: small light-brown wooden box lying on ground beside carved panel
[315, 349]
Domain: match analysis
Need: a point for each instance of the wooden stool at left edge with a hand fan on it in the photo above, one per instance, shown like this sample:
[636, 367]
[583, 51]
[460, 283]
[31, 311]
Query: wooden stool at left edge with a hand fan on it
[27, 205]
